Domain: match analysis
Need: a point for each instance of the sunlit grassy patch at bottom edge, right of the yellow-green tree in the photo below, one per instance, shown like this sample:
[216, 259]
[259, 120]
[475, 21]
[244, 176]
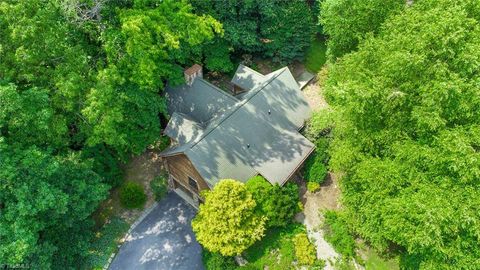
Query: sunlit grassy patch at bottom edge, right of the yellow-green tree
[275, 250]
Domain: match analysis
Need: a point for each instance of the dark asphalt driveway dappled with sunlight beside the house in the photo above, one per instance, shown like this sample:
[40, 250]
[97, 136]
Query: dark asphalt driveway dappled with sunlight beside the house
[163, 240]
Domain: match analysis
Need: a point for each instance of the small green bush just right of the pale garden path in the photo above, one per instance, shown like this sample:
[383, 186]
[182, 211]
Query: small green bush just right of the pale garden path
[338, 234]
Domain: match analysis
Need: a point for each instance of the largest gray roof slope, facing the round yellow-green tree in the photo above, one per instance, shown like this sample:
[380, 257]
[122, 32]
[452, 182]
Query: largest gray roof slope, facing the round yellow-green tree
[255, 135]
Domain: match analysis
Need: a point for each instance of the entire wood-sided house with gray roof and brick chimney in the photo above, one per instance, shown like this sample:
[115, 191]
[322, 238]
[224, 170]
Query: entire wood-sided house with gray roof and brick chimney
[216, 135]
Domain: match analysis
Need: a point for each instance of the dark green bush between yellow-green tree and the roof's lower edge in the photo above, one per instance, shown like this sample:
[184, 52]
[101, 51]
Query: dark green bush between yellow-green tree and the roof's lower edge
[278, 204]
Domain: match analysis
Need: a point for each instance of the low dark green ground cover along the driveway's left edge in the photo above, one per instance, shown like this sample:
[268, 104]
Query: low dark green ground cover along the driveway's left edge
[105, 243]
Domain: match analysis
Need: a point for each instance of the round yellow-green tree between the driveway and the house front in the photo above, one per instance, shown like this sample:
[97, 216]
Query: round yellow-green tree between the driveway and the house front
[227, 222]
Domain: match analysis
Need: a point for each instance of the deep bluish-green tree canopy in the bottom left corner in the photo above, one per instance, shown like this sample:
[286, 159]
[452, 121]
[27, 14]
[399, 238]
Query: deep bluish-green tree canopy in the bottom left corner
[45, 203]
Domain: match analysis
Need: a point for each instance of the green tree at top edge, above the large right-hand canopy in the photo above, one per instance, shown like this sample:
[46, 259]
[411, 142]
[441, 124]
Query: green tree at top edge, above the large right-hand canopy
[347, 22]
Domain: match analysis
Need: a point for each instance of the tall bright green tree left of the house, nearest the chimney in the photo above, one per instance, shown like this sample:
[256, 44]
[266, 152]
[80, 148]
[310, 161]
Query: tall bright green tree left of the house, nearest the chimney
[147, 48]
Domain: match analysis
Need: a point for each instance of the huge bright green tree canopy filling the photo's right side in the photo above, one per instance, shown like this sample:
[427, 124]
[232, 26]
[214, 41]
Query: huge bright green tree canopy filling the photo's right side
[408, 134]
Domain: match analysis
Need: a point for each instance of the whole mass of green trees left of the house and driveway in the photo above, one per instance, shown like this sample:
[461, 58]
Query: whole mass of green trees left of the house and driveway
[80, 91]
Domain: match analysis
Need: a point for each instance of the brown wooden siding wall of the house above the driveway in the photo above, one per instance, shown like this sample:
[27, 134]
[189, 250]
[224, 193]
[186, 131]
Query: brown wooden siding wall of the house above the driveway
[180, 167]
